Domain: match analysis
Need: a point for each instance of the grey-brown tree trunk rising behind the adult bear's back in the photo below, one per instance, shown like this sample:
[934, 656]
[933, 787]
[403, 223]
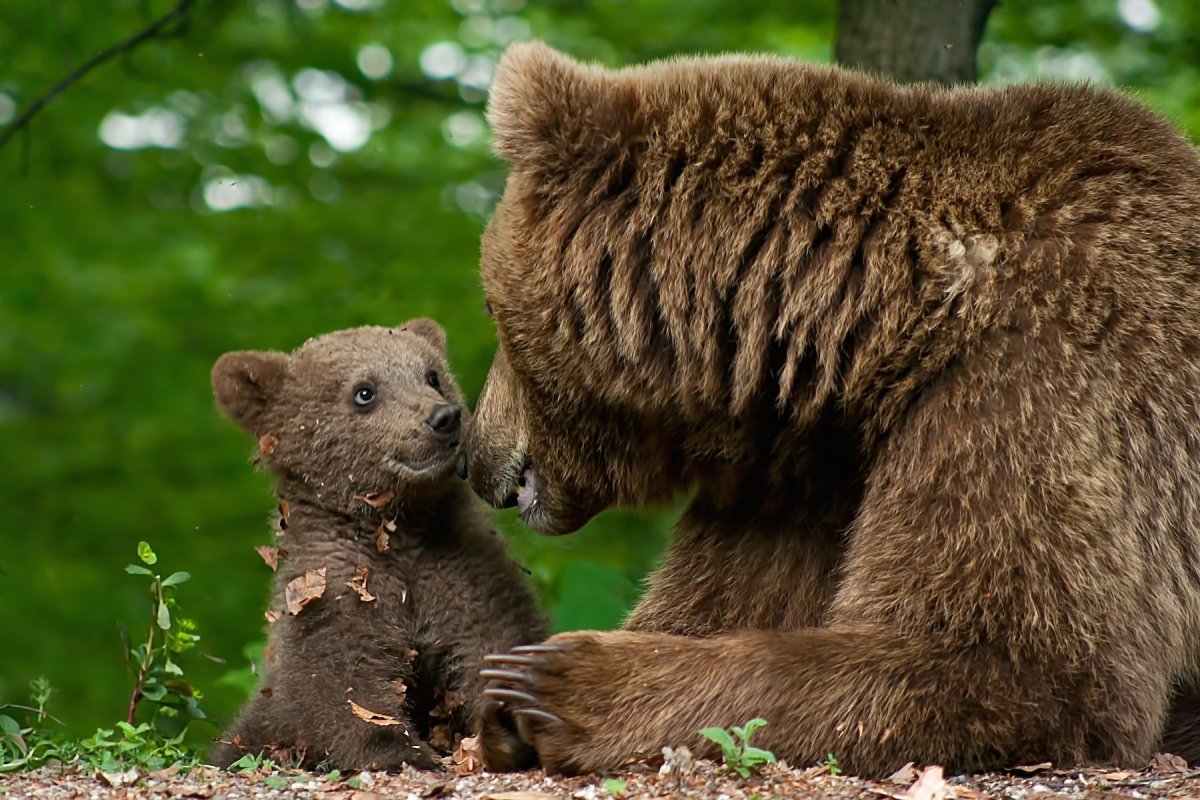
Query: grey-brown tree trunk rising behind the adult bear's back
[913, 40]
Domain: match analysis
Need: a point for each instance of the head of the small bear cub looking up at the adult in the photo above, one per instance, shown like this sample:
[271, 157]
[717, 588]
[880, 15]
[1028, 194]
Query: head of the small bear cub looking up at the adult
[356, 413]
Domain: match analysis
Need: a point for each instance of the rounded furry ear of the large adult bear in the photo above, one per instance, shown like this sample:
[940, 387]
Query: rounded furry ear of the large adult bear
[544, 106]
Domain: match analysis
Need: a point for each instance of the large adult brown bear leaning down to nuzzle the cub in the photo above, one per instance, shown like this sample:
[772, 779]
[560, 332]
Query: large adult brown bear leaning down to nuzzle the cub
[929, 362]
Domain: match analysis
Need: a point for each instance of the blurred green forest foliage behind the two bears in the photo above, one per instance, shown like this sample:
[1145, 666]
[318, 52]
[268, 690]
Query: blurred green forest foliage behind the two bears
[277, 170]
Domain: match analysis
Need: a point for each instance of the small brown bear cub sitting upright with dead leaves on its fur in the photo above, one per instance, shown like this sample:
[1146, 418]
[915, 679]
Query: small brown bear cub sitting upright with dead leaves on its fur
[441, 590]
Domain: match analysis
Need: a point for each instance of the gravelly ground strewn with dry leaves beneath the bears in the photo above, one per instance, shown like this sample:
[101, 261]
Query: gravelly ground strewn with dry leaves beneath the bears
[1165, 778]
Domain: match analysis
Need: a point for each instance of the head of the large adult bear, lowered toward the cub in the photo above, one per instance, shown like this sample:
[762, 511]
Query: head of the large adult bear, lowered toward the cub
[577, 414]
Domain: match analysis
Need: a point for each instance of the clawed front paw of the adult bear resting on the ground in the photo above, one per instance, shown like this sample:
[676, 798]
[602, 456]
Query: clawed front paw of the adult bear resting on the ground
[560, 699]
